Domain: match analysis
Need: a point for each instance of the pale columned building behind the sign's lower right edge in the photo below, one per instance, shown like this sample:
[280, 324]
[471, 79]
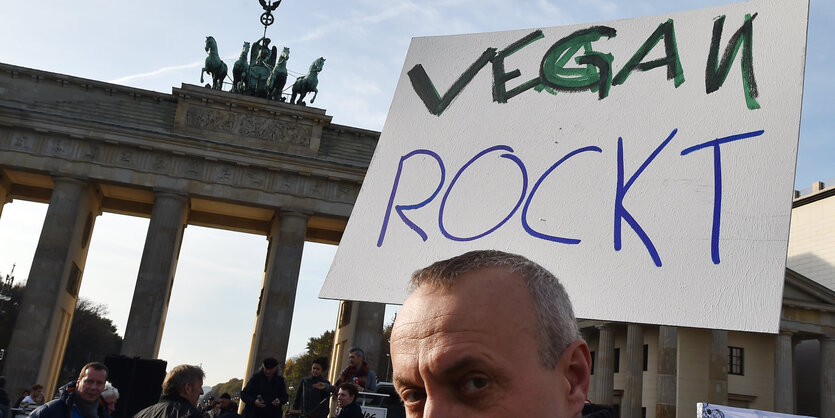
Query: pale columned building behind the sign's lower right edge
[657, 371]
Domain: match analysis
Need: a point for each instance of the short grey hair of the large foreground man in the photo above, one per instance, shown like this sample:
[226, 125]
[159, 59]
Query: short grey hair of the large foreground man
[557, 325]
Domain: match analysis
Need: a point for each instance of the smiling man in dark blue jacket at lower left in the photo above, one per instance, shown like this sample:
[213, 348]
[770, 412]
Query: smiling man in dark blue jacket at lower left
[80, 400]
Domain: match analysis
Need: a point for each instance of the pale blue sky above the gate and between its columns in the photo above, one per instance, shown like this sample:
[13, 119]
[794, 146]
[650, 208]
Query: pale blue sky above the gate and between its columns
[158, 44]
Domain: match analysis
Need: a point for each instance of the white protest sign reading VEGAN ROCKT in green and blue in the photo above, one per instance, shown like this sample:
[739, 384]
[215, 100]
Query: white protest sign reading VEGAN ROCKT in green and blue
[648, 163]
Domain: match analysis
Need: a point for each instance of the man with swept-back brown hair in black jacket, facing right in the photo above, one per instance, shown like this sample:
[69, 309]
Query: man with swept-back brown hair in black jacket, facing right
[181, 389]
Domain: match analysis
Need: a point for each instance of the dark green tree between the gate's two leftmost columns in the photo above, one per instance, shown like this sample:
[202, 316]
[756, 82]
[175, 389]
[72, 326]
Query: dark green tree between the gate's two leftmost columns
[92, 337]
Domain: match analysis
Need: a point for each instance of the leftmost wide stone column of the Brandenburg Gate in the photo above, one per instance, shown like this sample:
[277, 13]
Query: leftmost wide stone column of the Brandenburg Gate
[40, 335]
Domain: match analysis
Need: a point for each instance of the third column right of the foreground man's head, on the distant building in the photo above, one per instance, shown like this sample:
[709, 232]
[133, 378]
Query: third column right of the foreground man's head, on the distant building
[665, 406]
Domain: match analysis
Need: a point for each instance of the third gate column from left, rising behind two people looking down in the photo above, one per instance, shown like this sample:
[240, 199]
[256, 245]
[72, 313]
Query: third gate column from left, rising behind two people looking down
[278, 292]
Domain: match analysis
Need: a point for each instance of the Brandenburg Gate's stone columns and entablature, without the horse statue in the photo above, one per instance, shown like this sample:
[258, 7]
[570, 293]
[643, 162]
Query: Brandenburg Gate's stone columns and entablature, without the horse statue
[194, 157]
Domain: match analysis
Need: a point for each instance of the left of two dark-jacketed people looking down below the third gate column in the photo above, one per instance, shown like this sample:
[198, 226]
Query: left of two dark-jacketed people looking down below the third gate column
[265, 392]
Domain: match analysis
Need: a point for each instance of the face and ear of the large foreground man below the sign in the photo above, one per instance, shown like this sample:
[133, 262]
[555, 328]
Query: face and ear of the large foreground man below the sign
[471, 351]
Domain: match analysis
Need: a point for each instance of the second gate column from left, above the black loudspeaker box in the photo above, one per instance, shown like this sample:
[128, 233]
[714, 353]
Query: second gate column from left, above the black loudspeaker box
[149, 308]
